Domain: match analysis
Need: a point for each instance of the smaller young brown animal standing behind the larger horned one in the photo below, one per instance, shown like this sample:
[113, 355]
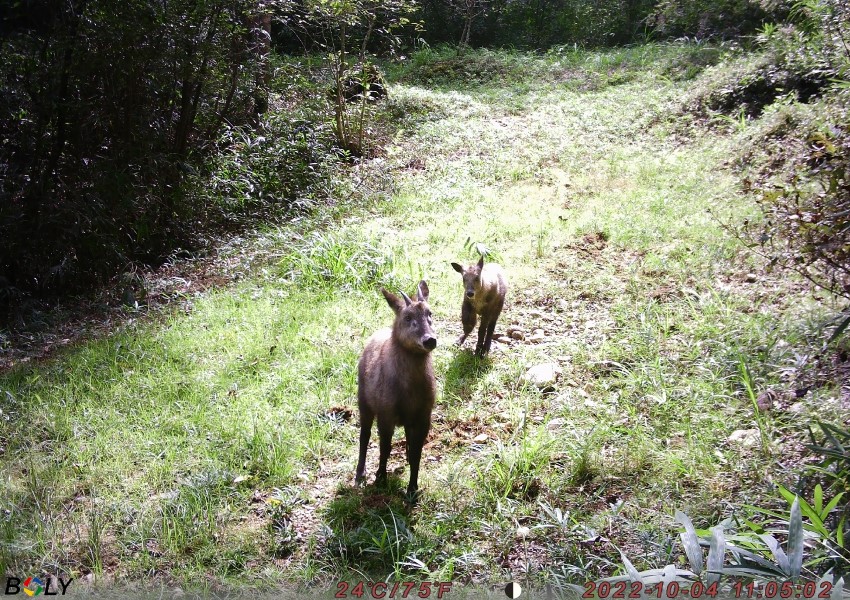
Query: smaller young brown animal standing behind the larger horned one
[484, 289]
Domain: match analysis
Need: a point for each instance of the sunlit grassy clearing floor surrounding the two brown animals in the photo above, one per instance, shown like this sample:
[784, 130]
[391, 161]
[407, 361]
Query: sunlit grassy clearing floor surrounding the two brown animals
[212, 444]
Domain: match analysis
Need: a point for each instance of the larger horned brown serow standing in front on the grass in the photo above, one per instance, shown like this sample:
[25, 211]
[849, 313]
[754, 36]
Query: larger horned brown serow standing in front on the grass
[396, 383]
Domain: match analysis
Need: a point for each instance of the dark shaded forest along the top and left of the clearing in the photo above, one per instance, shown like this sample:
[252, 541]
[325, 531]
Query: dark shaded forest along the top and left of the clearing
[112, 112]
